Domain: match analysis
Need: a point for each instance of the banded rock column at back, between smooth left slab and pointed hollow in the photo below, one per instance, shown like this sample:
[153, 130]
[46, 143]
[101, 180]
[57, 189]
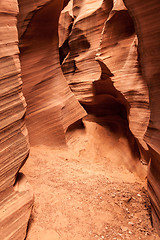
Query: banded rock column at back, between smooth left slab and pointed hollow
[89, 17]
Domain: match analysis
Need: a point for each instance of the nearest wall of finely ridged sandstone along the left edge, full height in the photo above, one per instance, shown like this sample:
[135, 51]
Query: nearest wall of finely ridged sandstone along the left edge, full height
[15, 202]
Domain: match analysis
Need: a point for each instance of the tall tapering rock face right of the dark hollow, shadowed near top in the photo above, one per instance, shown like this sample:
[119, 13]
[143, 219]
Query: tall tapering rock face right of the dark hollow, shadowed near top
[118, 50]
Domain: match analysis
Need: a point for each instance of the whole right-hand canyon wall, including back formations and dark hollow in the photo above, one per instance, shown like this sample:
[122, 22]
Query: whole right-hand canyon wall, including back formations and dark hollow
[110, 57]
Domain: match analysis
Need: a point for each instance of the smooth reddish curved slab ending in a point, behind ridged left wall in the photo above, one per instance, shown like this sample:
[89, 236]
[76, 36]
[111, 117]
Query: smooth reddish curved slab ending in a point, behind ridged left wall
[52, 107]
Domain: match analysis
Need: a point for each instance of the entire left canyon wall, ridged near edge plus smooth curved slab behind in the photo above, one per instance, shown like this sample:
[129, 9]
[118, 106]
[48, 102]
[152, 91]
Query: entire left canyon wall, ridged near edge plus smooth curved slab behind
[52, 107]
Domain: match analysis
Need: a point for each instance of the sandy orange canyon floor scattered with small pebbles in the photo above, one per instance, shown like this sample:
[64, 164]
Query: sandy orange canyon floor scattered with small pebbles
[90, 189]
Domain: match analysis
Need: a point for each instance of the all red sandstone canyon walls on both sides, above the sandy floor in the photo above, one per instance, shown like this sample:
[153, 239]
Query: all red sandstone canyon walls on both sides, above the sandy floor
[110, 57]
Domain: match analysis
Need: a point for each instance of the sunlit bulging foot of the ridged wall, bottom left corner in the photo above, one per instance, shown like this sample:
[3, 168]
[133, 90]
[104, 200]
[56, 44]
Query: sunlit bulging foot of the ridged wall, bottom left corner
[15, 209]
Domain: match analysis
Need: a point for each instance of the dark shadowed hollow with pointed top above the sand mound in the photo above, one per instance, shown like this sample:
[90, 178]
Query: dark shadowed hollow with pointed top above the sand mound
[110, 109]
